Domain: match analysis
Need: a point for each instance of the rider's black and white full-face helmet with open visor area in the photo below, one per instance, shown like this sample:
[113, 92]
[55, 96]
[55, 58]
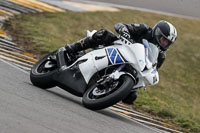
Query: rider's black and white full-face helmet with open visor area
[165, 34]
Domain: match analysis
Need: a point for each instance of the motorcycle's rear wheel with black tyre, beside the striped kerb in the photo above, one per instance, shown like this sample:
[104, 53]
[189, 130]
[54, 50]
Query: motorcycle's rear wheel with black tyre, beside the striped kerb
[40, 75]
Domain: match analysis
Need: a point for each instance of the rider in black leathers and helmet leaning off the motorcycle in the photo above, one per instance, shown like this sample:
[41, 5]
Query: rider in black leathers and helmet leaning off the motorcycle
[163, 34]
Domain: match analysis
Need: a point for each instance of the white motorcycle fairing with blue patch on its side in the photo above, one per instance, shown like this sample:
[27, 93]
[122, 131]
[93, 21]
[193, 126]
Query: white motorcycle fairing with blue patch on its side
[123, 52]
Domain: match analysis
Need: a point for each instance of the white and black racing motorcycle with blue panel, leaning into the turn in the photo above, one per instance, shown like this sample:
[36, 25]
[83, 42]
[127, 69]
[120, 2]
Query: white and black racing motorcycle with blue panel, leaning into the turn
[101, 76]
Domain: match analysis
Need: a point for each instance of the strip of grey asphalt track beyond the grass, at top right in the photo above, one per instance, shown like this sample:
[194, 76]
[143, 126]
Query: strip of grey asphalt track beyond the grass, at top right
[188, 8]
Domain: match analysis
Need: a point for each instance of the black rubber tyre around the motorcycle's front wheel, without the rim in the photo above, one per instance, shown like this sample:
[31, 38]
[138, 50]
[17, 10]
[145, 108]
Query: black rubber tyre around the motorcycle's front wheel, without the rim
[108, 100]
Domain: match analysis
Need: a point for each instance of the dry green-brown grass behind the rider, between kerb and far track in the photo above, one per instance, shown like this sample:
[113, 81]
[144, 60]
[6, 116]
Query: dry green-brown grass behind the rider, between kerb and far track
[176, 97]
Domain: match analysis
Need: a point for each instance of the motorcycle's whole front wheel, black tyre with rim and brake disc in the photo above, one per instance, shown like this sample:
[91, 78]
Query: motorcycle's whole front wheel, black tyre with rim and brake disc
[95, 98]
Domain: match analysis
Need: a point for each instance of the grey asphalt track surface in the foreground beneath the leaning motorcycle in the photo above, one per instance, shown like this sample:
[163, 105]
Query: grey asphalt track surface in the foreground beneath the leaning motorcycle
[25, 108]
